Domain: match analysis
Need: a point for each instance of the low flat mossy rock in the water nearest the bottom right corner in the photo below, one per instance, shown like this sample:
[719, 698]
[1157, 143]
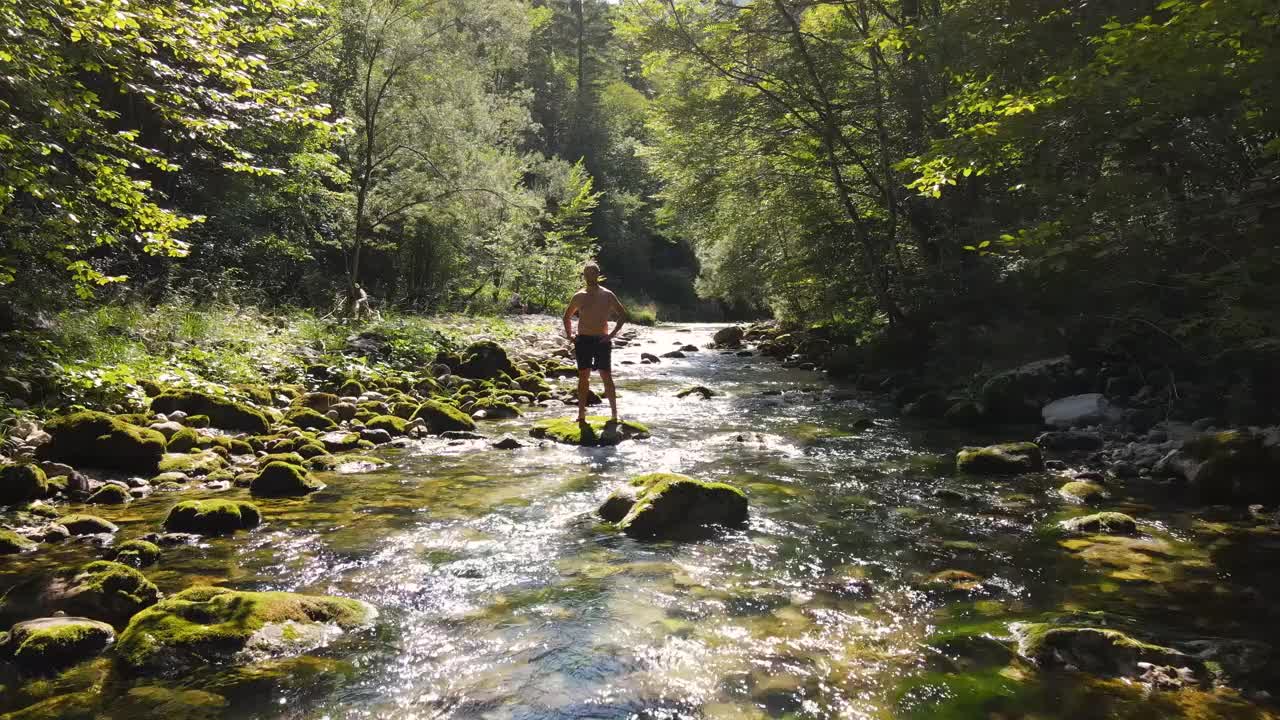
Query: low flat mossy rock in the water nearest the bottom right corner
[1092, 650]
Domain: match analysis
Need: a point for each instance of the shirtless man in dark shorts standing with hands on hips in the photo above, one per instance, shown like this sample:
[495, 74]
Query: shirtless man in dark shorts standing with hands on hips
[593, 344]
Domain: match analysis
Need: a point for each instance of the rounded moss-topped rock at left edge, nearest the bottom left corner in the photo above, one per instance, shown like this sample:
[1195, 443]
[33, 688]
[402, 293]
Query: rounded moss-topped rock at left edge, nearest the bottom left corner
[48, 645]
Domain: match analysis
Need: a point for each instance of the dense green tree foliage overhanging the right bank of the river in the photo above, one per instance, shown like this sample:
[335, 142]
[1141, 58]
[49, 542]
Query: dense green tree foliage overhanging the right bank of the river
[984, 177]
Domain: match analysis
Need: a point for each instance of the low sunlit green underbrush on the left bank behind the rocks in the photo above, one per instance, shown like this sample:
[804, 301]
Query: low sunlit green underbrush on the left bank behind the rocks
[100, 358]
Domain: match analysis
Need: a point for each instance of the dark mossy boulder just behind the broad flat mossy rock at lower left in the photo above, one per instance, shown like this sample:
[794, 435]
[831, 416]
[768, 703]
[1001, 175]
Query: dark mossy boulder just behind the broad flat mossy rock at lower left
[103, 591]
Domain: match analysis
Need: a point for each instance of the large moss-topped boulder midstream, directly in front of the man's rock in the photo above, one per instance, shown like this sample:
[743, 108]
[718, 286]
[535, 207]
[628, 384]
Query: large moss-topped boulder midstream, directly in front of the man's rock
[671, 507]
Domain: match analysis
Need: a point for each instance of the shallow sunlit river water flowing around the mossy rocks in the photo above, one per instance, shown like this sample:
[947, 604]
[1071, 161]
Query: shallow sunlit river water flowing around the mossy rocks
[502, 598]
